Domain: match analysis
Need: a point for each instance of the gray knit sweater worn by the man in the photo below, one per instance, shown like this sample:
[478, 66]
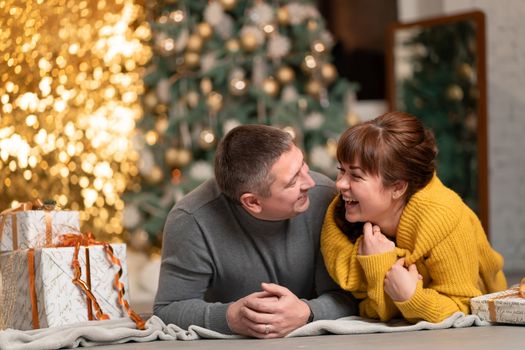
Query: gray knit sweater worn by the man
[214, 253]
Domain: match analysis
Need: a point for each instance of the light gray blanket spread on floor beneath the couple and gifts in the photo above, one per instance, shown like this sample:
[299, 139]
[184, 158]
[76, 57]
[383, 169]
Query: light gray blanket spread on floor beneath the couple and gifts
[119, 331]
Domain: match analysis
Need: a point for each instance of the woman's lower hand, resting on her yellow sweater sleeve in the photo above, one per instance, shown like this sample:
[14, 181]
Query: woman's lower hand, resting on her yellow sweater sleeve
[401, 282]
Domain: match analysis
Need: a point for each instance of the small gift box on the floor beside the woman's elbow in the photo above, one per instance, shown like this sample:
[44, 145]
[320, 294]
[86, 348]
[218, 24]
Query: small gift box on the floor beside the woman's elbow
[505, 307]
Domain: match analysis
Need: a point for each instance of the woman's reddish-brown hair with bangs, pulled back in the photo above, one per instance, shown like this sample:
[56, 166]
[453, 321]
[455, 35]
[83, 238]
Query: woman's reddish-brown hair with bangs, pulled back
[396, 146]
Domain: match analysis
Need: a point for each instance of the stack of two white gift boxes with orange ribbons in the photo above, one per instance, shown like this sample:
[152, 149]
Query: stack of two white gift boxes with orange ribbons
[54, 275]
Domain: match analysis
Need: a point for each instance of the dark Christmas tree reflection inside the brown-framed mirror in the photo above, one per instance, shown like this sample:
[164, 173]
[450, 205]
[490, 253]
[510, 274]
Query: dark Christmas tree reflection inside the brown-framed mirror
[438, 84]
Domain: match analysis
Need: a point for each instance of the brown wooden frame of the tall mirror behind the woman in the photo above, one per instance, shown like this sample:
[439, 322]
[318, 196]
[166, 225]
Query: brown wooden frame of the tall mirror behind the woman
[482, 138]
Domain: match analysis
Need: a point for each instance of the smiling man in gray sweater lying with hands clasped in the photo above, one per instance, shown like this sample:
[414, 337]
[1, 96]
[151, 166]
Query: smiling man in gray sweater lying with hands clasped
[241, 252]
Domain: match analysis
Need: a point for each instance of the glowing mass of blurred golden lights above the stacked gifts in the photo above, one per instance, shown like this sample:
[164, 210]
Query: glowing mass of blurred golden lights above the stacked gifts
[70, 81]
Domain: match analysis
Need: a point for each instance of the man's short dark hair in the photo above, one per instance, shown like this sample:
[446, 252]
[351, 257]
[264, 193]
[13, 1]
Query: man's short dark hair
[245, 157]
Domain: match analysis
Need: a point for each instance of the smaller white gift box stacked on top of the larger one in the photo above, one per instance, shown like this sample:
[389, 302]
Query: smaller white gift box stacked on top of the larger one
[31, 228]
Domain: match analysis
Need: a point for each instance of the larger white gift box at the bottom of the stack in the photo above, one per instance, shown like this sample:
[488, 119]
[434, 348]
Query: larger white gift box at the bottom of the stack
[59, 301]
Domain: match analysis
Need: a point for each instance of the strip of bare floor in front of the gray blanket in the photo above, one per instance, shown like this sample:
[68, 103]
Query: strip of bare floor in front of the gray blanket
[476, 338]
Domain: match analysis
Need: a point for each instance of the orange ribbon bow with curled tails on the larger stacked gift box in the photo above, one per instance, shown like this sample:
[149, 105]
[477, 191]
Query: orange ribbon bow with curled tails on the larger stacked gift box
[76, 240]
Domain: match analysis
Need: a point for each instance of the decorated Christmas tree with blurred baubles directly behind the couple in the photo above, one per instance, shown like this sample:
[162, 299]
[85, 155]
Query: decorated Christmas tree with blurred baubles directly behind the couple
[218, 64]
